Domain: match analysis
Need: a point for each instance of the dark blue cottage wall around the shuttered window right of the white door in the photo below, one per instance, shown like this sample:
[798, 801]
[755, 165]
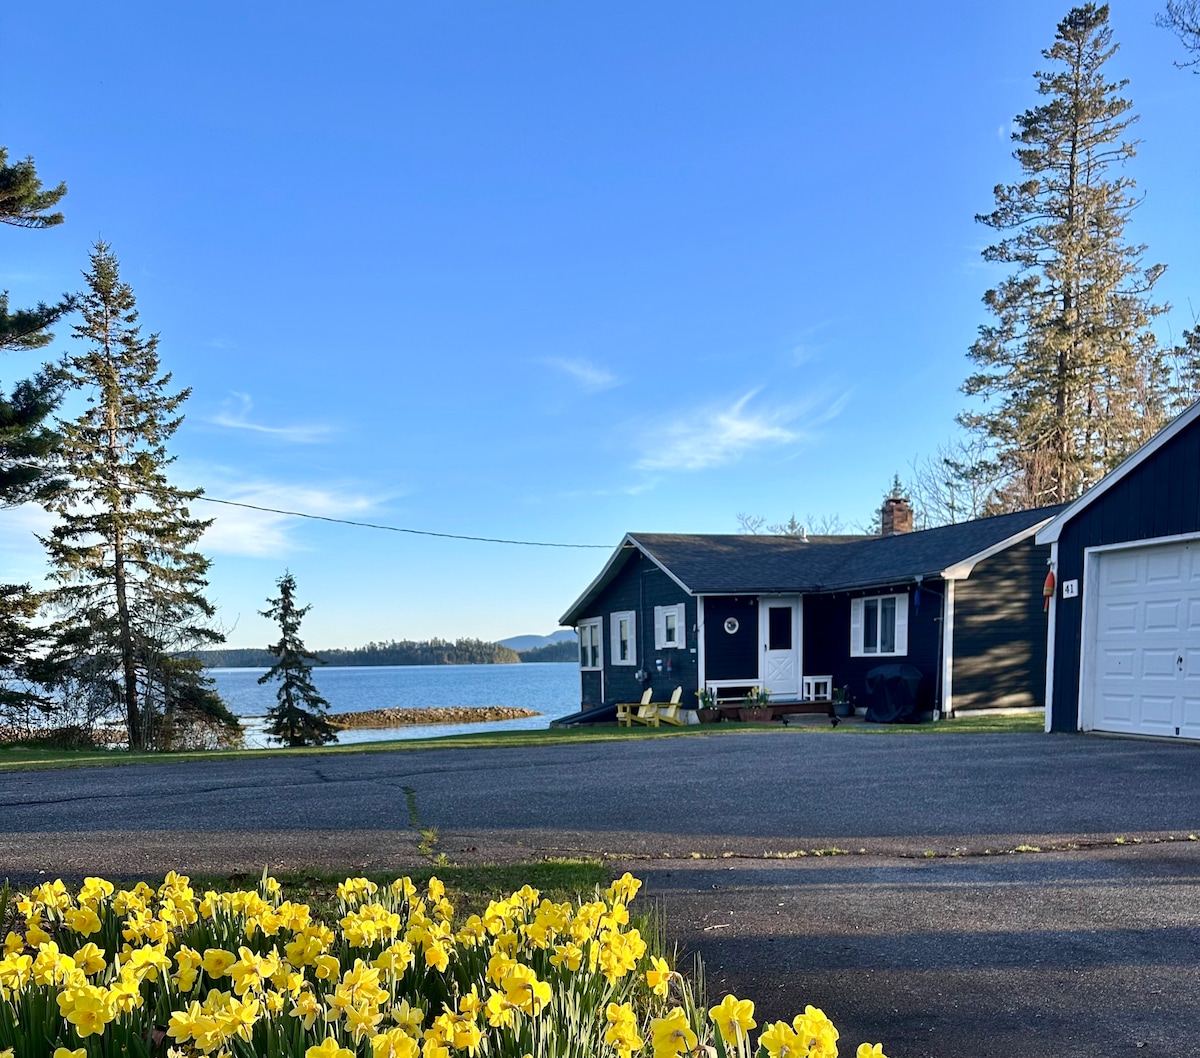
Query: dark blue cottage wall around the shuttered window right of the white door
[827, 641]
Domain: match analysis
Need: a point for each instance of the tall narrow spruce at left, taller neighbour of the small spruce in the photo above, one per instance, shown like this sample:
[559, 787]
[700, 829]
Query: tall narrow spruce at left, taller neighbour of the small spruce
[129, 578]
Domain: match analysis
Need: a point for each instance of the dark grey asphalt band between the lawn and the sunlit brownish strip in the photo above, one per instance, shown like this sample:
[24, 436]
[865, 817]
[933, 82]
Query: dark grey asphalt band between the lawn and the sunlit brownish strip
[789, 786]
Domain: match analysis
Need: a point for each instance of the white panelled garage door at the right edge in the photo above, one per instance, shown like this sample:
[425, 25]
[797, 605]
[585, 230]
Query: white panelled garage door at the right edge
[1144, 650]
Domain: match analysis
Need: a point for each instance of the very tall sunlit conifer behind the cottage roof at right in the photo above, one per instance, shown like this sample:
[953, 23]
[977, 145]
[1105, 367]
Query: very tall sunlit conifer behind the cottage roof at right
[1072, 372]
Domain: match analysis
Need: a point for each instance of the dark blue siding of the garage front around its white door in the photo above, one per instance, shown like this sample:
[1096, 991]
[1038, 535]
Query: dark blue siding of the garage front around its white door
[1159, 498]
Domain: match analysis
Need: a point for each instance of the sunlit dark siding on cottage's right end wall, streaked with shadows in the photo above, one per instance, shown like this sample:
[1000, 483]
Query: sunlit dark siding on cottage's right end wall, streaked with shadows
[1000, 632]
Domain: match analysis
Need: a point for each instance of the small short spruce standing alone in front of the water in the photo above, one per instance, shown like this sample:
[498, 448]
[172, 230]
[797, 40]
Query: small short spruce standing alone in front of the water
[299, 719]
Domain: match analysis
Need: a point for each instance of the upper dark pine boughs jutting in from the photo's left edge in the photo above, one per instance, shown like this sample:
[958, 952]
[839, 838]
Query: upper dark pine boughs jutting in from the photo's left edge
[26, 443]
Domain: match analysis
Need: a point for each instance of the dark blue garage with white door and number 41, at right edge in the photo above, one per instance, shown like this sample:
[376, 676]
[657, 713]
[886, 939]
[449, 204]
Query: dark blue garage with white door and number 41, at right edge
[1124, 652]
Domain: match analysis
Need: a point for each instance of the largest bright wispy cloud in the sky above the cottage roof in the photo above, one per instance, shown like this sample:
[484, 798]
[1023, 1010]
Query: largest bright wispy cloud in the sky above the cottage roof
[717, 435]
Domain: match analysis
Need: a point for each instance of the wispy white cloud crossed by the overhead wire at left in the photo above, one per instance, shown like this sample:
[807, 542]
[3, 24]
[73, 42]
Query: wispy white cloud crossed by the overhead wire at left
[260, 534]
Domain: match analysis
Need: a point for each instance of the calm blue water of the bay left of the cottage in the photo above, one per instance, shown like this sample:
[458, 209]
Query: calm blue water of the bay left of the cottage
[553, 690]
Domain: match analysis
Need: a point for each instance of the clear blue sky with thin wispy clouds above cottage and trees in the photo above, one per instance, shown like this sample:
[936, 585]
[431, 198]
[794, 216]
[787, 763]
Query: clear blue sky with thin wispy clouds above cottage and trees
[549, 272]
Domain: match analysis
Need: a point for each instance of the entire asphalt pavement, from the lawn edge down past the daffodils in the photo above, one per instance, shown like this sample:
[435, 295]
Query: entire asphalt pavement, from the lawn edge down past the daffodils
[1017, 955]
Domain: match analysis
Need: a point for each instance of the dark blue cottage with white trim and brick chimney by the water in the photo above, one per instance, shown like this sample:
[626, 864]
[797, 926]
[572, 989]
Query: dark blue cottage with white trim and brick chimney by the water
[961, 605]
